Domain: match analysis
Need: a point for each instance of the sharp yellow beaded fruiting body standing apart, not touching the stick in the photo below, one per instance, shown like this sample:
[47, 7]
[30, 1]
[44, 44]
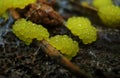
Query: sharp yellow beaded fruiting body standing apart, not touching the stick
[81, 27]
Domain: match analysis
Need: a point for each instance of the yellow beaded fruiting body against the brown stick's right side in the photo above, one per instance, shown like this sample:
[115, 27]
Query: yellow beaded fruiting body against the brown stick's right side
[65, 44]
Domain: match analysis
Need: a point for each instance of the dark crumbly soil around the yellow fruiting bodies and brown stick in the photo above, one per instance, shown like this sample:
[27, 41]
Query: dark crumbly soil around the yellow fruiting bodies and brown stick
[17, 60]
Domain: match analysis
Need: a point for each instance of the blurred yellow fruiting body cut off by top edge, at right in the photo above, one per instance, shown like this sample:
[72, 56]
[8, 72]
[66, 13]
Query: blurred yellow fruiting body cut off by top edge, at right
[101, 3]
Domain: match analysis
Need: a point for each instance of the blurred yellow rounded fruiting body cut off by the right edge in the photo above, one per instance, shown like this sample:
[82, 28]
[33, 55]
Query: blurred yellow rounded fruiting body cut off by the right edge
[110, 15]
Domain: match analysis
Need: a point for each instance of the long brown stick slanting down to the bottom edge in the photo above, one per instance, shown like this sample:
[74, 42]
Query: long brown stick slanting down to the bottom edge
[55, 54]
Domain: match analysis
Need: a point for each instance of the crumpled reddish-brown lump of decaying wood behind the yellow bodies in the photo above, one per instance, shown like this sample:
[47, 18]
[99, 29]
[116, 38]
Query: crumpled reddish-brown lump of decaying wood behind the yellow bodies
[43, 14]
